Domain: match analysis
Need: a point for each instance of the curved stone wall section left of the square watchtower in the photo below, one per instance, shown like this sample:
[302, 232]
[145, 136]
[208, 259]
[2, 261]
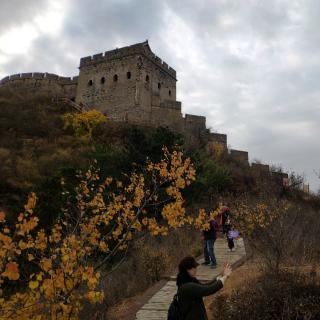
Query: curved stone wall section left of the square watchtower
[48, 84]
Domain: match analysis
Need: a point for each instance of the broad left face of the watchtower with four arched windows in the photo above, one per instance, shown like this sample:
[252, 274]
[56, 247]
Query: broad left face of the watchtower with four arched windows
[107, 82]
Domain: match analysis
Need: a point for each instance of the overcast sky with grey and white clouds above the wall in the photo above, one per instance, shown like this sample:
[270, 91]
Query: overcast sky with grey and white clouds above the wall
[251, 67]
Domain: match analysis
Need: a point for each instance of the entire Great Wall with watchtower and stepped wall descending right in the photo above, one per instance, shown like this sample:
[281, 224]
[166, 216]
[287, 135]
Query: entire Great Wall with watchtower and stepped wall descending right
[133, 85]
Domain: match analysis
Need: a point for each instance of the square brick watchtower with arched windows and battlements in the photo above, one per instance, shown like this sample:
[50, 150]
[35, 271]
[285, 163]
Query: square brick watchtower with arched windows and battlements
[130, 84]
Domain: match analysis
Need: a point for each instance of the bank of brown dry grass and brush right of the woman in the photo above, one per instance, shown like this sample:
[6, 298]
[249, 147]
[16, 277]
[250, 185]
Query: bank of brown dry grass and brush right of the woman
[293, 293]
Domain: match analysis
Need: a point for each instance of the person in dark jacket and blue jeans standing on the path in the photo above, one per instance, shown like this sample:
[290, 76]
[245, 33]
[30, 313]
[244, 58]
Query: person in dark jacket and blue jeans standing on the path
[209, 238]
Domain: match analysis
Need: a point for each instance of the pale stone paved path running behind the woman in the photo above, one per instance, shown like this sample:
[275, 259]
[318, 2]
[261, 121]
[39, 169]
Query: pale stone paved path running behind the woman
[157, 307]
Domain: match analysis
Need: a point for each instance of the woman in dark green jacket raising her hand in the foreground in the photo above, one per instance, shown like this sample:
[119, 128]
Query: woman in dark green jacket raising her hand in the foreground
[191, 291]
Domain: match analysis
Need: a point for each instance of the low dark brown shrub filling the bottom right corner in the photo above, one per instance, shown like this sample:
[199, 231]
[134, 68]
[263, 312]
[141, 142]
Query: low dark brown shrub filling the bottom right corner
[286, 295]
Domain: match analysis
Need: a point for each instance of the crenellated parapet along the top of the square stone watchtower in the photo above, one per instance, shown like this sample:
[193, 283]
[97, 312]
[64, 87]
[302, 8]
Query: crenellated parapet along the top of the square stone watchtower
[142, 48]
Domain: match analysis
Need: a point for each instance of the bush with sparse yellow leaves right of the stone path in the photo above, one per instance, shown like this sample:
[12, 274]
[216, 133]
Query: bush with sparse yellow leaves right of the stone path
[268, 225]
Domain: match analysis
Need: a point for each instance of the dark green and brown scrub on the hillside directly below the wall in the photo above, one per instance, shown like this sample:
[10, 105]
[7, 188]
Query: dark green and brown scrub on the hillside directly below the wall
[39, 146]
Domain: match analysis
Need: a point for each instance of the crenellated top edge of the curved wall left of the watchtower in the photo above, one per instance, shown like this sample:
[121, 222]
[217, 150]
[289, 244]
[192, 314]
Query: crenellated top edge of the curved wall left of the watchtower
[39, 76]
